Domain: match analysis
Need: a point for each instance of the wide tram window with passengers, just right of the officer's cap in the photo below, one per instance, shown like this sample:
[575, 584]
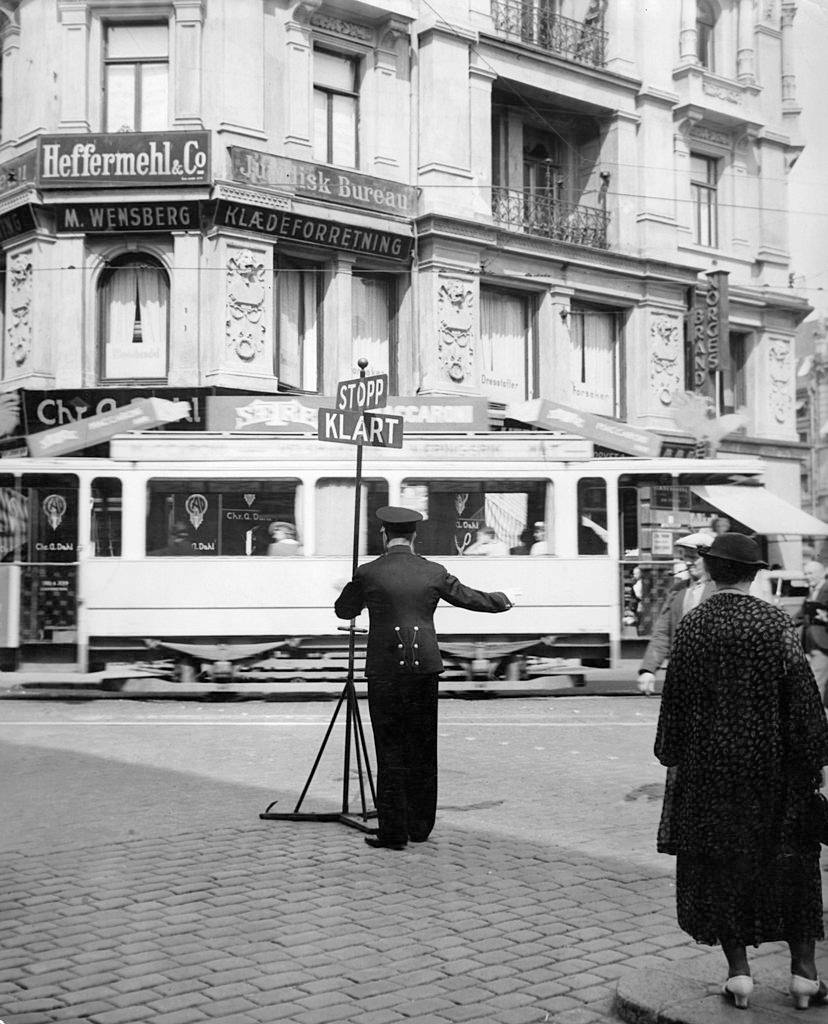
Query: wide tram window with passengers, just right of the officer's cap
[483, 518]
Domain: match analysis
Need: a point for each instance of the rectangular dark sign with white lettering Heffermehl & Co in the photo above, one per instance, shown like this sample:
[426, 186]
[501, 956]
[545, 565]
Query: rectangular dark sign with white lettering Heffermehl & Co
[124, 159]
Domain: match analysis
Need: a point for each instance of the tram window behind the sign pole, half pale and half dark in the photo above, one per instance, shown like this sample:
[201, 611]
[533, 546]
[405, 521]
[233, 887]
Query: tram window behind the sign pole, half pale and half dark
[335, 509]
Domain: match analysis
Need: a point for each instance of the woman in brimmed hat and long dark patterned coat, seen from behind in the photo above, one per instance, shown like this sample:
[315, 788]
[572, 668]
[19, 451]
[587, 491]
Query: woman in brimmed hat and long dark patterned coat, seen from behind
[745, 737]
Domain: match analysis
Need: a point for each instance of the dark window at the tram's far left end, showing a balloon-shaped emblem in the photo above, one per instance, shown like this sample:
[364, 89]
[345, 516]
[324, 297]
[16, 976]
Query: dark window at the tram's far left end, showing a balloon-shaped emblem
[53, 526]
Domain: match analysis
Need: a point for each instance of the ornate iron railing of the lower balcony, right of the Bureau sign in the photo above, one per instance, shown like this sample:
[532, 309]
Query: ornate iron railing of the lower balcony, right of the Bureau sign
[539, 215]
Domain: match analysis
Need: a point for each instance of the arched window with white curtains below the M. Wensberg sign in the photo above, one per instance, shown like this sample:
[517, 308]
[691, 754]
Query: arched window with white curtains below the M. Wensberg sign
[135, 295]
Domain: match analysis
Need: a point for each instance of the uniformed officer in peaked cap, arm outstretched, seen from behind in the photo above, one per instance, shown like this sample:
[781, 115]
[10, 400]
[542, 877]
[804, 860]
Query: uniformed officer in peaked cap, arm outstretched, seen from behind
[402, 590]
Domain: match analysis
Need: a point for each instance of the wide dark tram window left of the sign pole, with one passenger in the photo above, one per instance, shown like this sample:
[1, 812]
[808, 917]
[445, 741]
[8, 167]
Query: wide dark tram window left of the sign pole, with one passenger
[222, 518]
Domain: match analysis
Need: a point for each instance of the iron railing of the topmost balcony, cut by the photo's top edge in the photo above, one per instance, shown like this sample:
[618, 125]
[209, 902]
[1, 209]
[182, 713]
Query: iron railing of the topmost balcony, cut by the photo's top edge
[528, 22]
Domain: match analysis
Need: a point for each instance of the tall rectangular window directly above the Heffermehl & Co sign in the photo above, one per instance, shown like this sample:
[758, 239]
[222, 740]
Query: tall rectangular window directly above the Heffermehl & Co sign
[137, 77]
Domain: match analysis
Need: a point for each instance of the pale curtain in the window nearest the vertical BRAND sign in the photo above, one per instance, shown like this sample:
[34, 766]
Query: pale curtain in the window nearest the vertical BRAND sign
[593, 361]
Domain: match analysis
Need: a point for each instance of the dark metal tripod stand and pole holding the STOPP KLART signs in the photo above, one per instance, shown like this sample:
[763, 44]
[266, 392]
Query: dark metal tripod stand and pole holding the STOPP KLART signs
[355, 734]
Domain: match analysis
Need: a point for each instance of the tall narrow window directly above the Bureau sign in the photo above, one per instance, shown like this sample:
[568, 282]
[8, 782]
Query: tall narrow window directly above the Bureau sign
[336, 108]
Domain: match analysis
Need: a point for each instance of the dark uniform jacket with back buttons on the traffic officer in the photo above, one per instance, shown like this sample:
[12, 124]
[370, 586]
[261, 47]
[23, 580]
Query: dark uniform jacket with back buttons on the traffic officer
[402, 590]
